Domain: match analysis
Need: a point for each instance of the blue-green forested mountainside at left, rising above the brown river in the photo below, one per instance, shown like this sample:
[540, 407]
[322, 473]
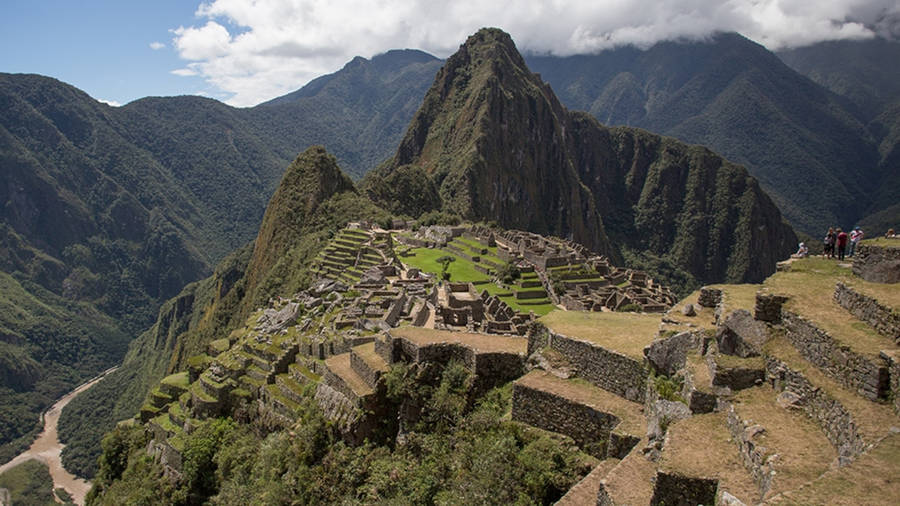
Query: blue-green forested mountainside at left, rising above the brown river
[107, 212]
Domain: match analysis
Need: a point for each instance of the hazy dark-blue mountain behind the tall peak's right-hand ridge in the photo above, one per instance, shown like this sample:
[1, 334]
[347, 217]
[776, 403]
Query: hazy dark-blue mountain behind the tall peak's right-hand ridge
[807, 146]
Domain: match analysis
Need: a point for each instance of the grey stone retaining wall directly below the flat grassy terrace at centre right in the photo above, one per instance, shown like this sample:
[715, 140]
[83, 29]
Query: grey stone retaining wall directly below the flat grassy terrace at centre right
[611, 371]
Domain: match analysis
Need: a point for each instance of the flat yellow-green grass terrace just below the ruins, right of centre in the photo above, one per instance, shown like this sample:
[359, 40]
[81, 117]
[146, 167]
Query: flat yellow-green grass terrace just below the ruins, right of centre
[626, 333]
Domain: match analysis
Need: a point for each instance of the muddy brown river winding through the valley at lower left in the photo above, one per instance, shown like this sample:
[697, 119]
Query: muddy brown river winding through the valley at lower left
[47, 448]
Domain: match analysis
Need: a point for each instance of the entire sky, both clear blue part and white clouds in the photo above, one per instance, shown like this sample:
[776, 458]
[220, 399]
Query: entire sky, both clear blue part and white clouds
[244, 52]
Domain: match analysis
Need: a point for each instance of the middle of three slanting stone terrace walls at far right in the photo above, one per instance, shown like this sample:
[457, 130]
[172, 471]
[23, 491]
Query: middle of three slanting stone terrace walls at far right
[867, 376]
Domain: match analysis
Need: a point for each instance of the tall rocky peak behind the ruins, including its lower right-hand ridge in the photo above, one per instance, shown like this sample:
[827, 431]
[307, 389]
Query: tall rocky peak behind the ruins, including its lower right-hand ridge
[492, 142]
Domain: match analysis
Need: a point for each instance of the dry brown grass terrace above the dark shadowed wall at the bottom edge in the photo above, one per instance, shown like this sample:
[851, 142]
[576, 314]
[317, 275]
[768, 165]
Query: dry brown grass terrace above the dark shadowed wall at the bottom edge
[701, 446]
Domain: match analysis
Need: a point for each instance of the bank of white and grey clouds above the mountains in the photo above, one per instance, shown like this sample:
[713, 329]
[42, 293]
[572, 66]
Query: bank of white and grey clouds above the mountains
[255, 50]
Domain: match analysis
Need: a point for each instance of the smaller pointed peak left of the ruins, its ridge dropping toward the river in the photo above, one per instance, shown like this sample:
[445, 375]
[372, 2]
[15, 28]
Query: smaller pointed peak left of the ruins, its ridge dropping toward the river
[314, 200]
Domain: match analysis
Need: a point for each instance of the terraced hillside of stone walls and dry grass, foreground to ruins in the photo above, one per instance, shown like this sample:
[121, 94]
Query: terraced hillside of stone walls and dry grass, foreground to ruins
[781, 392]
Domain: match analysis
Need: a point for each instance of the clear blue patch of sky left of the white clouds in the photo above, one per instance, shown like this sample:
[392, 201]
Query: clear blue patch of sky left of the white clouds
[101, 47]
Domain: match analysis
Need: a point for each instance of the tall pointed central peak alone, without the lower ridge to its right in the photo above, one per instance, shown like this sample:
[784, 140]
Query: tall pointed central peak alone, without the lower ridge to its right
[491, 137]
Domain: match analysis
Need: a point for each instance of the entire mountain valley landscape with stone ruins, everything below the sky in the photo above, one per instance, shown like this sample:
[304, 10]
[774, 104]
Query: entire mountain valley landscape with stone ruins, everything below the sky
[465, 287]
